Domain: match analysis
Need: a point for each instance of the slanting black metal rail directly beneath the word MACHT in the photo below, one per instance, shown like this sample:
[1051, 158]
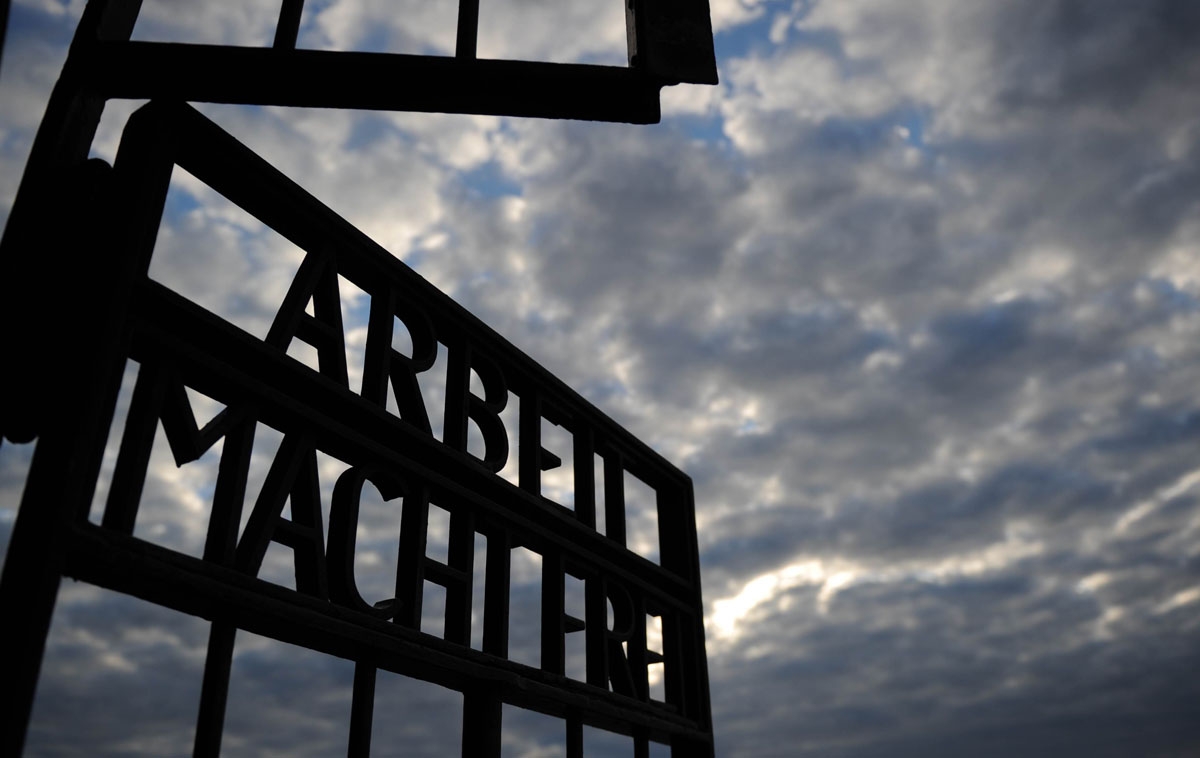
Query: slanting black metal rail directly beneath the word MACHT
[195, 587]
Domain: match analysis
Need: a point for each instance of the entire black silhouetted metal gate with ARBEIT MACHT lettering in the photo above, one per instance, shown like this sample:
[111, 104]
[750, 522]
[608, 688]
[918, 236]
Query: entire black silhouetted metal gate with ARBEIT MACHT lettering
[94, 270]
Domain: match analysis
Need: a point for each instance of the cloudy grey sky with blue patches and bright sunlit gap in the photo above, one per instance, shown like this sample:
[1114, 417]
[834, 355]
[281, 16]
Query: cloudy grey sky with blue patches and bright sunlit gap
[914, 297]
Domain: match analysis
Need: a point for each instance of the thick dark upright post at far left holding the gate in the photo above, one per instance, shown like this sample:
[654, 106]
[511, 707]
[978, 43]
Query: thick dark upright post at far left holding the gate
[73, 429]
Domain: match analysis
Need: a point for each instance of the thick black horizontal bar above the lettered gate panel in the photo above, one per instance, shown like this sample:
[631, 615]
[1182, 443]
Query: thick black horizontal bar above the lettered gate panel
[373, 82]
